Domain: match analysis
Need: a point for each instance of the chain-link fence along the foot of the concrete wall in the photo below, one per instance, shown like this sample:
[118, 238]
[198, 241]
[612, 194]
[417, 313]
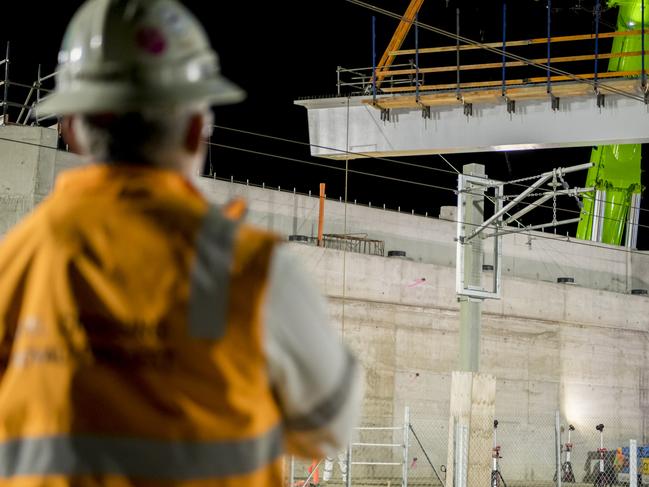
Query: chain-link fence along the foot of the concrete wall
[411, 448]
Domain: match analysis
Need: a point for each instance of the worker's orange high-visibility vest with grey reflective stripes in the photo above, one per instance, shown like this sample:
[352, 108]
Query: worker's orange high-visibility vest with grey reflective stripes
[131, 339]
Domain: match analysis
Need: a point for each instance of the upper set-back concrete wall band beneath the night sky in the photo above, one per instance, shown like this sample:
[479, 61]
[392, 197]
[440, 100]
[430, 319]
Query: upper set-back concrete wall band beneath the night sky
[530, 255]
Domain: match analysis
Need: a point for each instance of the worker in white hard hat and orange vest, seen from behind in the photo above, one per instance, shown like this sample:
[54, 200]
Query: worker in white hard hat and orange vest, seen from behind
[145, 337]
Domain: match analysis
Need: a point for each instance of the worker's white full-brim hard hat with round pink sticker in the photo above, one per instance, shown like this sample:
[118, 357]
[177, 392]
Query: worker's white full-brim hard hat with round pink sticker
[126, 55]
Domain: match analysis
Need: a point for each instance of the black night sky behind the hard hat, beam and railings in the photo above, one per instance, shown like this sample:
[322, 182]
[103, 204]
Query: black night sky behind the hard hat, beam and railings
[282, 51]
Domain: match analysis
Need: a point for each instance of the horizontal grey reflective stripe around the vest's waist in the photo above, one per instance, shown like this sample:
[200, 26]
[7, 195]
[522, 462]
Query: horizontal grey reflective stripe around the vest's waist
[151, 459]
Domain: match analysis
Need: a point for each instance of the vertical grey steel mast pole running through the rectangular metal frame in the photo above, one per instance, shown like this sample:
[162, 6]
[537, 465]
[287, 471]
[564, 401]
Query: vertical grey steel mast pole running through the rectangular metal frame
[470, 309]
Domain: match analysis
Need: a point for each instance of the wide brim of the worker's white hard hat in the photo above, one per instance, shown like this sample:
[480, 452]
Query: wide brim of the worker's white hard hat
[102, 97]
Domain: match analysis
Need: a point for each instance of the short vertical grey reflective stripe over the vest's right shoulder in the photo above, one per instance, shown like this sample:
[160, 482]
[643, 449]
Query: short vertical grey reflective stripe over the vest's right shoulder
[210, 277]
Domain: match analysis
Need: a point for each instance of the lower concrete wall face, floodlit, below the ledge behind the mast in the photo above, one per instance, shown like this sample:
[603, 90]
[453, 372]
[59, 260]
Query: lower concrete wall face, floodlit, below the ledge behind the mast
[550, 346]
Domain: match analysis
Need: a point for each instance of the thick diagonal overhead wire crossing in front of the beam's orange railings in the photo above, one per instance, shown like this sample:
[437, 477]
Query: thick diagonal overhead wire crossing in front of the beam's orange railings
[495, 50]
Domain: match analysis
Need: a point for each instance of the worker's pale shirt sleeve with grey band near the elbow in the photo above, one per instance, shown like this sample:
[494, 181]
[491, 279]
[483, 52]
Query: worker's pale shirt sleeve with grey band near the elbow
[316, 378]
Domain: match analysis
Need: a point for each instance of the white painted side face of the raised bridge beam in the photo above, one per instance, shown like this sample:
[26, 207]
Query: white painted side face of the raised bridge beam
[339, 125]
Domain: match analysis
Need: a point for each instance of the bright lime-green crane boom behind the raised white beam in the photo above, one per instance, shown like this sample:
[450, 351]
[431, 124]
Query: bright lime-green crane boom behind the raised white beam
[616, 169]
